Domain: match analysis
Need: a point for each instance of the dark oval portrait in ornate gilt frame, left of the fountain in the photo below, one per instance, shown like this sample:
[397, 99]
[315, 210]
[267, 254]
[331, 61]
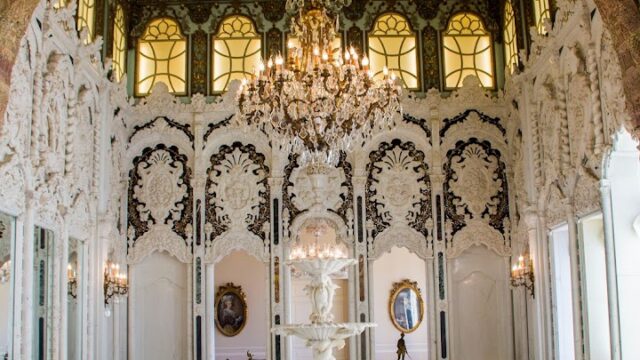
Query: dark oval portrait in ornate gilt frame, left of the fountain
[231, 309]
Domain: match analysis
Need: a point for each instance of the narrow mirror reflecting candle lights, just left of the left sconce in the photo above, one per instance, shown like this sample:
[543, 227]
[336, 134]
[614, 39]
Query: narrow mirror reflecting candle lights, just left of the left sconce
[74, 299]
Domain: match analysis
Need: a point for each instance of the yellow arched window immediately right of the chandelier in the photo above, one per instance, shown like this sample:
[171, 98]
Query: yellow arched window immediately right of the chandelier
[393, 44]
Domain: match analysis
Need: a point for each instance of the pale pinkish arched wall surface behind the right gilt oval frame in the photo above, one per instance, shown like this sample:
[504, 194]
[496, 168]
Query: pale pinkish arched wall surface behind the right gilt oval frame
[390, 268]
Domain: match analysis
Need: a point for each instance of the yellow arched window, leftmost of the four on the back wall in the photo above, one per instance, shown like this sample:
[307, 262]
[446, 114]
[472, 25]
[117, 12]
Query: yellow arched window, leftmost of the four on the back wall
[162, 57]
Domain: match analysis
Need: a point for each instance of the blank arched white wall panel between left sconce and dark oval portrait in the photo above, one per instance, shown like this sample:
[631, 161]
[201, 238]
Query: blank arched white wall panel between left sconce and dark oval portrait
[159, 309]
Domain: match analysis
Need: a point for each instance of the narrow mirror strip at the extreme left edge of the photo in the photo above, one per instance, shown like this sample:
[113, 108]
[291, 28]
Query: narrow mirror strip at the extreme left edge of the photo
[7, 239]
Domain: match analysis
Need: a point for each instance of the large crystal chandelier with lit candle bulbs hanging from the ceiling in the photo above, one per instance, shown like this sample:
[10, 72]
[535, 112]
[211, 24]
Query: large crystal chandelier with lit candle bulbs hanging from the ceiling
[317, 102]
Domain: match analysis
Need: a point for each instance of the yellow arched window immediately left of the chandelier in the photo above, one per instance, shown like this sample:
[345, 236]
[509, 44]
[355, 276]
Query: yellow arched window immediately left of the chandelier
[236, 51]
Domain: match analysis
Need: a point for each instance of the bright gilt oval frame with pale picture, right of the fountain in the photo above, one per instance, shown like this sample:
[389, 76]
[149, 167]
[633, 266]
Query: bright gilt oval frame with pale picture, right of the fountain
[406, 306]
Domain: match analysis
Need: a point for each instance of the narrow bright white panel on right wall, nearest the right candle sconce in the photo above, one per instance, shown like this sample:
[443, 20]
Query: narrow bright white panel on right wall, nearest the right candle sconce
[562, 293]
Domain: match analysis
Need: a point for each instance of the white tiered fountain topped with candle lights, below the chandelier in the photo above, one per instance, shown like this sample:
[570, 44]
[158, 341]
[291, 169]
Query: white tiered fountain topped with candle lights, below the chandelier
[320, 263]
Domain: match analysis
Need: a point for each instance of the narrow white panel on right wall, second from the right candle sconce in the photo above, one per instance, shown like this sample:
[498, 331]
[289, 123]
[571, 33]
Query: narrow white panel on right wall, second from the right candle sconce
[595, 268]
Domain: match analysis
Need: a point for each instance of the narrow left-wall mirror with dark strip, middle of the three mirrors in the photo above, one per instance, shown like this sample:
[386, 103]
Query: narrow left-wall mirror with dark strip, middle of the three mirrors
[42, 290]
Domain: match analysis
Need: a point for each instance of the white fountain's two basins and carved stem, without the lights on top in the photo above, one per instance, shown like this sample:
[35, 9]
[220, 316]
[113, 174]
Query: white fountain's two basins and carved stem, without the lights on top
[322, 335]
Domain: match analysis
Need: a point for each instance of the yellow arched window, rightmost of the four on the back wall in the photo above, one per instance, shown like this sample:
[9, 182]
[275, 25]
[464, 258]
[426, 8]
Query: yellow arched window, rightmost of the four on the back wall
[468, 50]
